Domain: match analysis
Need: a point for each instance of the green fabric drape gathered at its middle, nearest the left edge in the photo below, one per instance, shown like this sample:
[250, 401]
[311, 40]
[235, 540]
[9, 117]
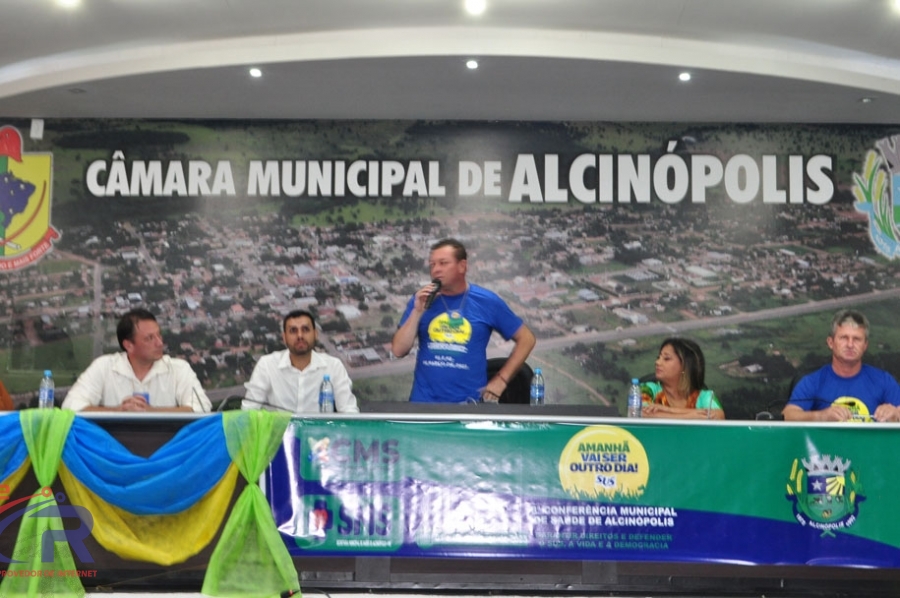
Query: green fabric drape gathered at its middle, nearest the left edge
[45, 432]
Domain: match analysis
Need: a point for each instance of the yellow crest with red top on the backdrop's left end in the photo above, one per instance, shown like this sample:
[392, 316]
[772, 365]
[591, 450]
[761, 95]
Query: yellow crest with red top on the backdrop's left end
[26, 233]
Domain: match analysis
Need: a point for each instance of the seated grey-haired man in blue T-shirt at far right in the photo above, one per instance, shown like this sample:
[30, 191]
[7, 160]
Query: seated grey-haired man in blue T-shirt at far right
[846, 389]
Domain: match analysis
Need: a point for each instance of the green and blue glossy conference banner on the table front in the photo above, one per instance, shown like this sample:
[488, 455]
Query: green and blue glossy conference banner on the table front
[640, 491]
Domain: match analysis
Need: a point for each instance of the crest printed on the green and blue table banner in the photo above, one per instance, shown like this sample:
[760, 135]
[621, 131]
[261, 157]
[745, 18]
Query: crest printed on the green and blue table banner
[825, 493]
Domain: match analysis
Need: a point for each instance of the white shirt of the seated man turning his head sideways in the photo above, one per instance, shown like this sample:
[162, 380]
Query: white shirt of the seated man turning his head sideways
[110, 379]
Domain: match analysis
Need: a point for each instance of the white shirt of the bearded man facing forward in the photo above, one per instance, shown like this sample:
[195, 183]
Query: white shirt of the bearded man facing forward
[277, 385]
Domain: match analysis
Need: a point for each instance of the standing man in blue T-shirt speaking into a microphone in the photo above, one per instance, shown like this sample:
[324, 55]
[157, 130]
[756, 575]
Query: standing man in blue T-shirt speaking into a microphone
[453, 321]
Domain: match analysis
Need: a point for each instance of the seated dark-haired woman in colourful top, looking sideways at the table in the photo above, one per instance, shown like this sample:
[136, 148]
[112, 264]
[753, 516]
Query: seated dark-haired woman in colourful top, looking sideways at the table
[679, 391]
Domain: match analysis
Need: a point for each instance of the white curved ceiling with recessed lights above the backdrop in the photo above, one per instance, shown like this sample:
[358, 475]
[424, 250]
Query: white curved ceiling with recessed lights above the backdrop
[603, 60]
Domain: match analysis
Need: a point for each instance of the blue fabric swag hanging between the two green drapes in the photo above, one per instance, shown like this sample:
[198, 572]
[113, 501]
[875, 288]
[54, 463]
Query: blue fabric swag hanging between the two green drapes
[171, 480]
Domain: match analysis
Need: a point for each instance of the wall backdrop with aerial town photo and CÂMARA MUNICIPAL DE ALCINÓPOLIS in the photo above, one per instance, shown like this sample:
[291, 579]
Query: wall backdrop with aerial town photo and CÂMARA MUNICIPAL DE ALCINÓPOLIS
[605, 238]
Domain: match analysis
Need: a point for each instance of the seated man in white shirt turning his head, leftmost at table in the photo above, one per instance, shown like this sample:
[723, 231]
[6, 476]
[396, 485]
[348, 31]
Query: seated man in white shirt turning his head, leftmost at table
[140, 377]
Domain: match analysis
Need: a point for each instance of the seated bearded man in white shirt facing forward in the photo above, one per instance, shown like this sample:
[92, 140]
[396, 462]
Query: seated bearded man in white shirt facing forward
[289, 380]
